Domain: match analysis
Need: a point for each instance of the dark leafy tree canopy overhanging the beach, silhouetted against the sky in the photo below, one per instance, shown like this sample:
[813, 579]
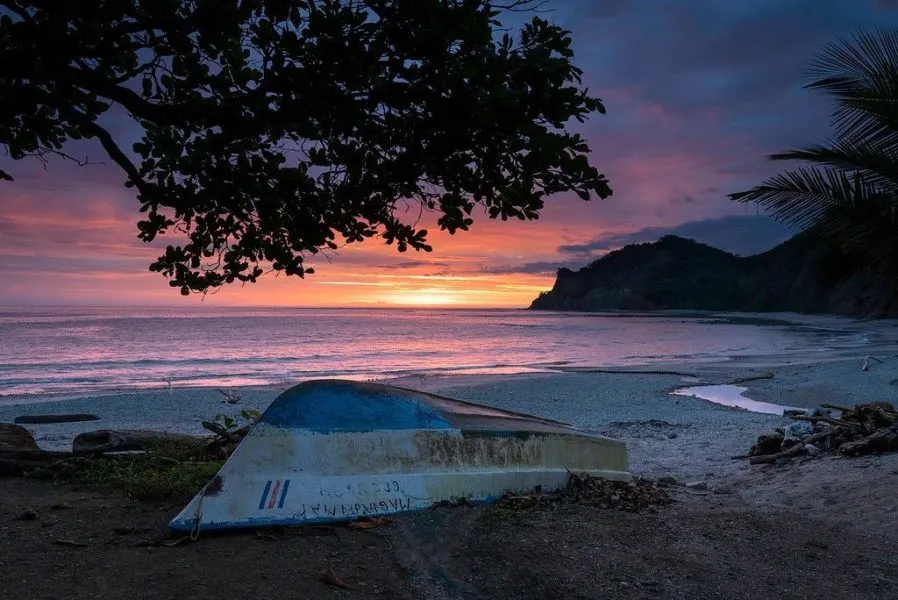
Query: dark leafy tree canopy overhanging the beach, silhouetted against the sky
[269, 130]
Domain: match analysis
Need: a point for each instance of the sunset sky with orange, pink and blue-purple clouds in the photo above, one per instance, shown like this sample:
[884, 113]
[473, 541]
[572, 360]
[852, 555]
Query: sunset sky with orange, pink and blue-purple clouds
[697, 93]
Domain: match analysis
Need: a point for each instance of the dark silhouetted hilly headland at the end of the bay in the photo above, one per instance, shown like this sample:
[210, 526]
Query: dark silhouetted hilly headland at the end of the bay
[803, 274]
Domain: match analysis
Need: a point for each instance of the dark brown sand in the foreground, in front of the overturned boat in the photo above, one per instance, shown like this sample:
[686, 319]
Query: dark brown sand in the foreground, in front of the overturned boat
[713, 546]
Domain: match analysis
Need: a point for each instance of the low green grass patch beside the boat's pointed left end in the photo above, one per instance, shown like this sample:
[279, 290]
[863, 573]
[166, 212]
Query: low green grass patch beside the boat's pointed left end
[166, 471]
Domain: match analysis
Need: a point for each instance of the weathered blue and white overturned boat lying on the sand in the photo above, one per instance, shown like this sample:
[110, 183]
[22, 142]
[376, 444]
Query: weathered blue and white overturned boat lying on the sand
[333, 450]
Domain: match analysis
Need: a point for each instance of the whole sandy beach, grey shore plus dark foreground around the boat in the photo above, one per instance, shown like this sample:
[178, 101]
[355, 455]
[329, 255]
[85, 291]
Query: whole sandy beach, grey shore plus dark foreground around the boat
[807, 529]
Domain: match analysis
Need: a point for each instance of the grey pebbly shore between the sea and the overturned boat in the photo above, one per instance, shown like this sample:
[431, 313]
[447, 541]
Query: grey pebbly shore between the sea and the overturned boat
[615, 401]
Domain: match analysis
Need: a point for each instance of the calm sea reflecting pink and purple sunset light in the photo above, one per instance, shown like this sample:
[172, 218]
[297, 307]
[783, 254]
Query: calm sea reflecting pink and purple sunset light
[75, 350]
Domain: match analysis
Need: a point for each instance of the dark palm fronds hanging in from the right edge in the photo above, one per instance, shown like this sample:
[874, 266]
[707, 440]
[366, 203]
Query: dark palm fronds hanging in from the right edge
[849, 190]
